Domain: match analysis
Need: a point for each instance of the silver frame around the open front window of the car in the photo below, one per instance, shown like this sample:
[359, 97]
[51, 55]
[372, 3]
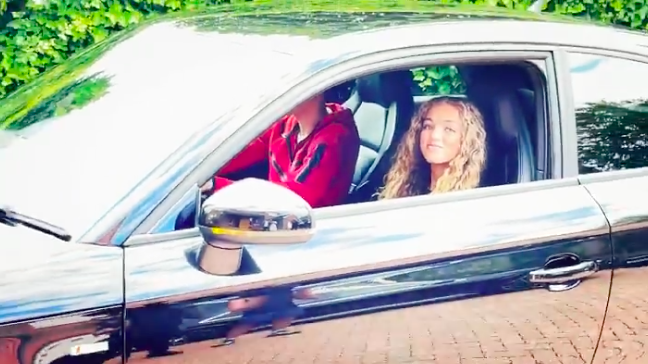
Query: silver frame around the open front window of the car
[354, 68]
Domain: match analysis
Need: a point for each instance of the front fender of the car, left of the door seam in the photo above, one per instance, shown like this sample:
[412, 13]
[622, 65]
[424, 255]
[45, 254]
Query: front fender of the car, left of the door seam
[55, 296]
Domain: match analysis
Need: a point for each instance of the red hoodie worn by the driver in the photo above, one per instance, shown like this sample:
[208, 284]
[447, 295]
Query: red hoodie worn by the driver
[319, 168]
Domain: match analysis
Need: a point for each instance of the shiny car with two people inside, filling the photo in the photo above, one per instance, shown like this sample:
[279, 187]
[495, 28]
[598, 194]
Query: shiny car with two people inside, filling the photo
[543, 263]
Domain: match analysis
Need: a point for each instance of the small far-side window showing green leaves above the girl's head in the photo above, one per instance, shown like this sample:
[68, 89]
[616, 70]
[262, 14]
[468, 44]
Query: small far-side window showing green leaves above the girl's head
[437, 80]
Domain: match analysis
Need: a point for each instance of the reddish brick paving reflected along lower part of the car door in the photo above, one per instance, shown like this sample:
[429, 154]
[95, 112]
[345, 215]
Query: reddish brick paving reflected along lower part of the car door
[518, 328]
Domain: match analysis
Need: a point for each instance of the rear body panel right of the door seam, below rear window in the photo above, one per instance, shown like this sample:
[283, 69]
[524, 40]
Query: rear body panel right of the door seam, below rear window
[622, 195]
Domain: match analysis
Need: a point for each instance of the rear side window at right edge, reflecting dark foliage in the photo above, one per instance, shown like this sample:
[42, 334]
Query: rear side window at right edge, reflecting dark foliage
[611, 102]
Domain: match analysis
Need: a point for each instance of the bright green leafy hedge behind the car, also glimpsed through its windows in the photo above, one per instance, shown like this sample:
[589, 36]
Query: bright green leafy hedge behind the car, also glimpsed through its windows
[39, 34]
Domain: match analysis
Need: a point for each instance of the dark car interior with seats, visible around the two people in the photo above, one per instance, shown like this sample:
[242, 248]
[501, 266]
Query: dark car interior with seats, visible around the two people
[511, 97]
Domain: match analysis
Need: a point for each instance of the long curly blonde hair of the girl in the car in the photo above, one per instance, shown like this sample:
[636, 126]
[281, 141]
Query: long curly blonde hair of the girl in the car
[410, 174]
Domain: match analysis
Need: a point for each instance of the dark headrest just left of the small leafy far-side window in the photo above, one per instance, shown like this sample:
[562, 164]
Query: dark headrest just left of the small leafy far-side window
[384, 88]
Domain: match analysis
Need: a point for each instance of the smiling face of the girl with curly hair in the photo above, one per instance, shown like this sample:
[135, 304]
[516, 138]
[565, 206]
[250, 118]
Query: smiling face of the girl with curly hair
[442, 134]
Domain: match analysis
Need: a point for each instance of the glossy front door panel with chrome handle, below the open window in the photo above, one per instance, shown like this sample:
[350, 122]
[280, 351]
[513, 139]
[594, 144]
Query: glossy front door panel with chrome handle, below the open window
[518, 277]
